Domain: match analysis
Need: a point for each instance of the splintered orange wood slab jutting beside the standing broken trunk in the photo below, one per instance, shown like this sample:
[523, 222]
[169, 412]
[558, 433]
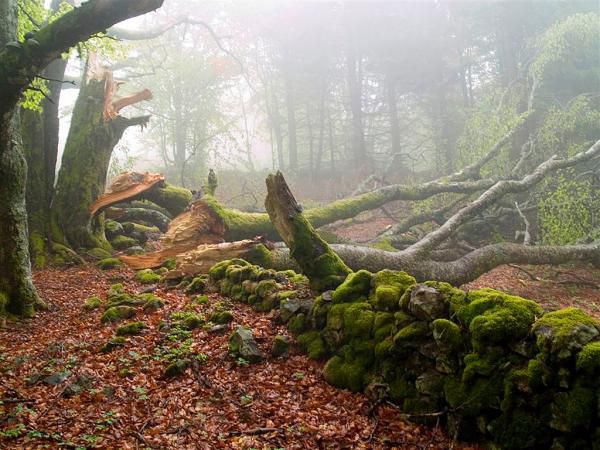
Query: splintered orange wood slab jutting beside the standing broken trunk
[125, 187]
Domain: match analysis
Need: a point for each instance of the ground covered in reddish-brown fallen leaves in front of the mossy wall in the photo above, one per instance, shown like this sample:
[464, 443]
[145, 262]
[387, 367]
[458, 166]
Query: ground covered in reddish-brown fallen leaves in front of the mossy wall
[123, 401]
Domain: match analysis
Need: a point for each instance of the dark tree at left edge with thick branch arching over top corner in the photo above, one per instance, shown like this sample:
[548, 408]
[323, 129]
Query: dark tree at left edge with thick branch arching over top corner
[20, 63]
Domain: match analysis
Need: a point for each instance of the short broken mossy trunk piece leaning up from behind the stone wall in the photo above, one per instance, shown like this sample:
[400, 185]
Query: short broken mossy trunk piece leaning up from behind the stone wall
[323, 267]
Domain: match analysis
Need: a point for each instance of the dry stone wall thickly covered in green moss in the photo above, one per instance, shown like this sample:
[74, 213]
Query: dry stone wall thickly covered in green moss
[490, 365]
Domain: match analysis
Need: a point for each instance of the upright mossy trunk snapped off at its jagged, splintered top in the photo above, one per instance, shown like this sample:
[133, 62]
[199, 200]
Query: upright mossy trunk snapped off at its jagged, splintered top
[82, 176]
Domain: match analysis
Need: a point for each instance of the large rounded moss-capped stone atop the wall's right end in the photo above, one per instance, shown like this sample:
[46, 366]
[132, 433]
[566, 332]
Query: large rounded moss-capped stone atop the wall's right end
[560, 334]
